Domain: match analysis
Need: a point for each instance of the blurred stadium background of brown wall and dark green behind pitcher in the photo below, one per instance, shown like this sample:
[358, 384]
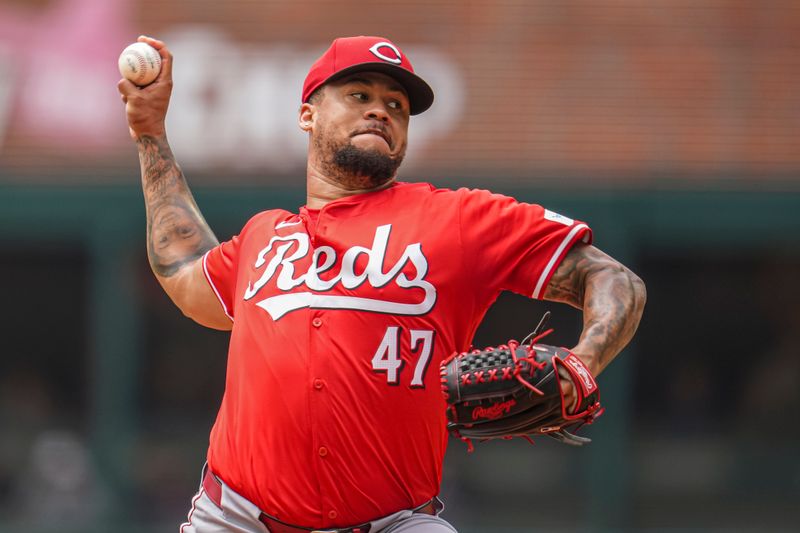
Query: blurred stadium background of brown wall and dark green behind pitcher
[672, 126]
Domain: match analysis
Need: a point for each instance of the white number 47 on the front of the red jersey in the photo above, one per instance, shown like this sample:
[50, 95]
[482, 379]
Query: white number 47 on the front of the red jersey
[387, 356]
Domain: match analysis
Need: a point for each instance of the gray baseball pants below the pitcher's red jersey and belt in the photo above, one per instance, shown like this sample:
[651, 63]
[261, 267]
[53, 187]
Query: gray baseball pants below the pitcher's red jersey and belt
[238, 515]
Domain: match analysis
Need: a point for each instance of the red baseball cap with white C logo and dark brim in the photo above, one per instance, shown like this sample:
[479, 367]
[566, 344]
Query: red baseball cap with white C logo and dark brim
[377, 54]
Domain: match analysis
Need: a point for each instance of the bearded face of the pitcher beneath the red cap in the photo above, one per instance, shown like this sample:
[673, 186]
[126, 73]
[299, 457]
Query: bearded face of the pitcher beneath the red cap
[360, 129]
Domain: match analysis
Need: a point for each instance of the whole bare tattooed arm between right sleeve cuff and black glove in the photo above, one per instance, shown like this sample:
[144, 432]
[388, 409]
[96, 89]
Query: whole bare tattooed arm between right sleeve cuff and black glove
[611, 296]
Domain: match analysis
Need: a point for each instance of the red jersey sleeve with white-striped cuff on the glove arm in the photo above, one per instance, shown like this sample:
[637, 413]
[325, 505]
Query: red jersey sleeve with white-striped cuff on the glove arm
[515, 246]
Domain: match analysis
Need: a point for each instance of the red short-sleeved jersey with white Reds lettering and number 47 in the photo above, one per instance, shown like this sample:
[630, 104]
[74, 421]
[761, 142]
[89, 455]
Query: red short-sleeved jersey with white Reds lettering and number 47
[333, 414]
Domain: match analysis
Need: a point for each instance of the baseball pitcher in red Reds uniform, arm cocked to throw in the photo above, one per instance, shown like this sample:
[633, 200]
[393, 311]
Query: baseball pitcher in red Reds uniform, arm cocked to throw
[352, 317]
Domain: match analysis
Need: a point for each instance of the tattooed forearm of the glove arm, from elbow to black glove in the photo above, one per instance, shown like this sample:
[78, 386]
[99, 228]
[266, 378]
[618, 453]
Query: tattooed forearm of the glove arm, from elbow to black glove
[613, 302]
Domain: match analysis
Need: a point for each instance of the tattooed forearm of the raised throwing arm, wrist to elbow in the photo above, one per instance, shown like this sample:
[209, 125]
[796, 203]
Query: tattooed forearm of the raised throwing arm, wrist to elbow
[176, 231]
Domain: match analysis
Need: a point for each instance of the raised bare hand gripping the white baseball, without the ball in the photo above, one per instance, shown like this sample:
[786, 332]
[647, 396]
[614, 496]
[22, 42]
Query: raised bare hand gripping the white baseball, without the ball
[146, 107]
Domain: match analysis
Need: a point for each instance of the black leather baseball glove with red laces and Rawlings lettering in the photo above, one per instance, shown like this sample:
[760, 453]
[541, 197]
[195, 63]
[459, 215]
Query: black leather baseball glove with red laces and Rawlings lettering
[515, 390]
